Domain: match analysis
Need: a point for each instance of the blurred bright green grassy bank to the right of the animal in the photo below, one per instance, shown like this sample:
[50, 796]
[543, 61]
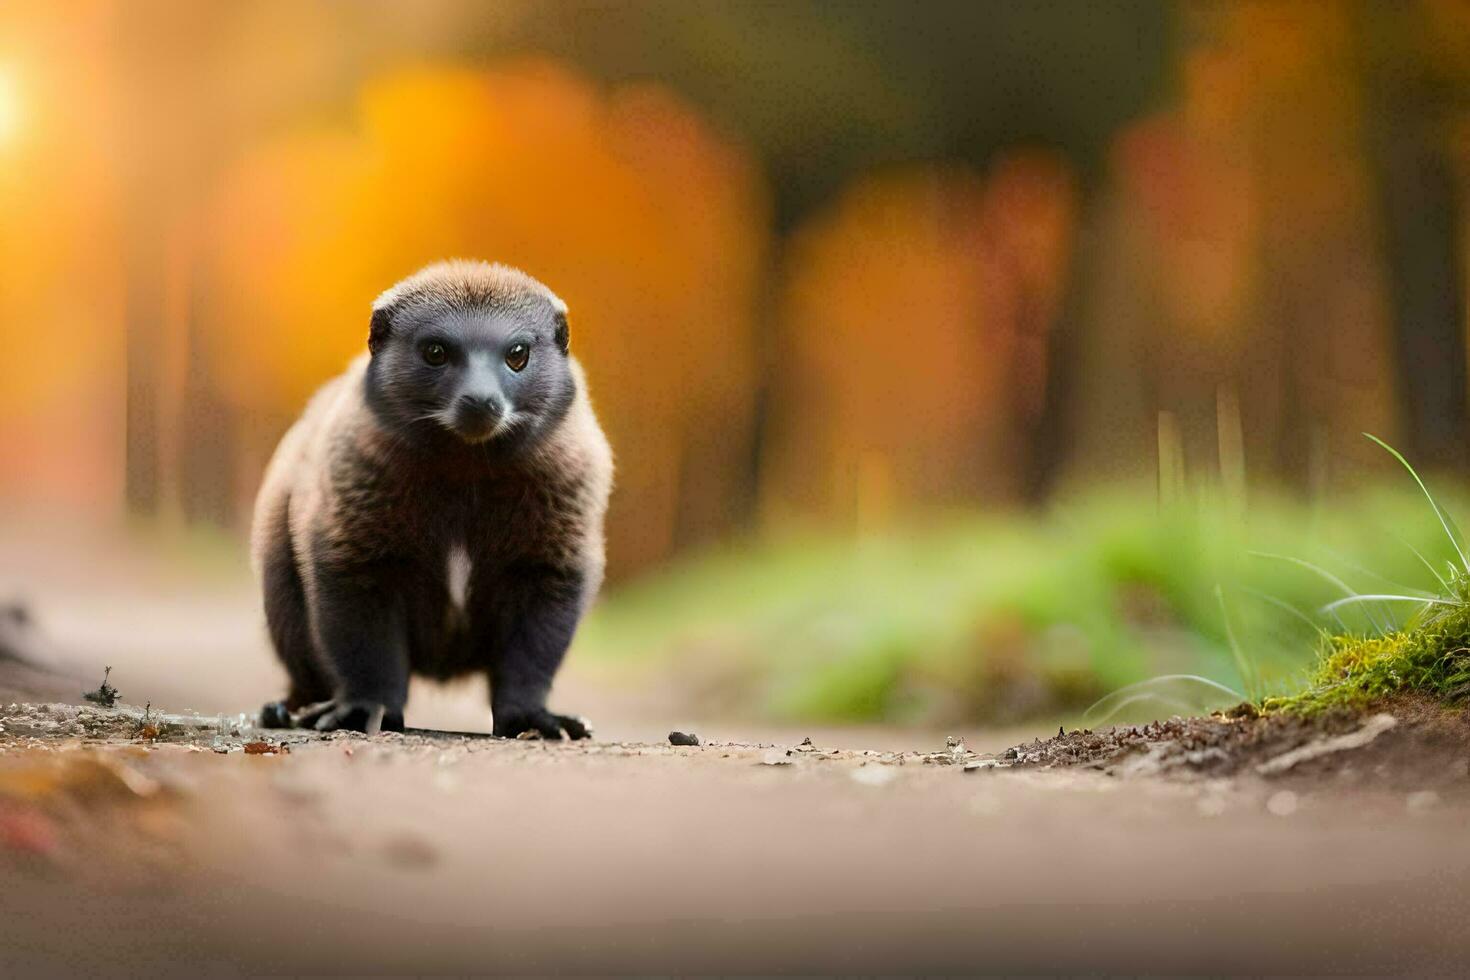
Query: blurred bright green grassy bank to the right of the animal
[1002, 618]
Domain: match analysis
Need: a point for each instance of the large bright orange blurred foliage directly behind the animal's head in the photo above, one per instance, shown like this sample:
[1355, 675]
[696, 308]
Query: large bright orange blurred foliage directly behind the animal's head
[643, 218]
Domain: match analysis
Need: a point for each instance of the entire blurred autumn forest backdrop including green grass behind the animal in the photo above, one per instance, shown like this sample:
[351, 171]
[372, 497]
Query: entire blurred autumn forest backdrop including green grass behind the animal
[956, 356]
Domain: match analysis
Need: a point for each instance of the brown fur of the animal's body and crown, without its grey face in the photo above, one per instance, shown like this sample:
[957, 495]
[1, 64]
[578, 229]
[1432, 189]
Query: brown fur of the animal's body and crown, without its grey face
[351, 500]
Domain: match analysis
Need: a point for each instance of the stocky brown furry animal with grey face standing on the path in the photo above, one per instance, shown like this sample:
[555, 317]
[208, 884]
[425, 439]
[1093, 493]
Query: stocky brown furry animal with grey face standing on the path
[437, 511]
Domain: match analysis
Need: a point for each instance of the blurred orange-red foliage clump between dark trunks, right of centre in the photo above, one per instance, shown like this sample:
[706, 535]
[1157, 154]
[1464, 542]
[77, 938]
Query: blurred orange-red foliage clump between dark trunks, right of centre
[918, 311]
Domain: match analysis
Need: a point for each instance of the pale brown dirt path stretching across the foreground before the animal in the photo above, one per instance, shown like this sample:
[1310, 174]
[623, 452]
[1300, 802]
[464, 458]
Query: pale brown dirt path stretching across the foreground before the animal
[439, 854]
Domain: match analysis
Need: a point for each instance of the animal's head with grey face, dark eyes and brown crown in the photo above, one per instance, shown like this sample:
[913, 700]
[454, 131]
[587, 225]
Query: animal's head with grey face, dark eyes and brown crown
[471, 349]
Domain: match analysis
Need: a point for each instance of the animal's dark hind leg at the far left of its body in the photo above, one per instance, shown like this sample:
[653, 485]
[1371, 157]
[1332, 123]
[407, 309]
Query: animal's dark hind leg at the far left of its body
[290, 633]
